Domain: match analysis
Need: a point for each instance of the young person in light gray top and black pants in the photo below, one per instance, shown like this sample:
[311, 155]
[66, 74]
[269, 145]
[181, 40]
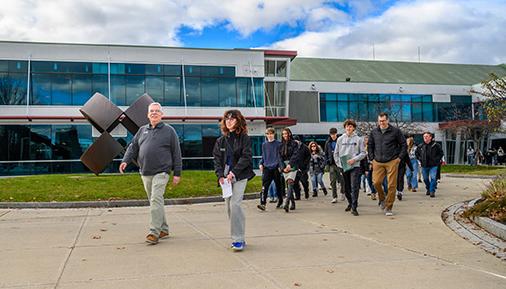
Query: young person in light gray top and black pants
[347, 155]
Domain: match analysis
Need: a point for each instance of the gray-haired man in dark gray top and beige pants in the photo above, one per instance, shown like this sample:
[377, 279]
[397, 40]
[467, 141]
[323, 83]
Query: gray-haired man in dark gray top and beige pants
[156, 148]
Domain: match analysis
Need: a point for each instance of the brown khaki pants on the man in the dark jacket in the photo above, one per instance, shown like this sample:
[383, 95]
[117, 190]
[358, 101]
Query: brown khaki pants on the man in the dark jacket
[379, 171]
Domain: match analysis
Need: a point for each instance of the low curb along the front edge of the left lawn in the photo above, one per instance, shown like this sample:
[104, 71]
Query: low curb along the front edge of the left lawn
[114, 203]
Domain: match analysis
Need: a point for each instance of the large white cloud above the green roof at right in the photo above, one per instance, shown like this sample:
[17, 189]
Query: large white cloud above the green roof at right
[445, 31]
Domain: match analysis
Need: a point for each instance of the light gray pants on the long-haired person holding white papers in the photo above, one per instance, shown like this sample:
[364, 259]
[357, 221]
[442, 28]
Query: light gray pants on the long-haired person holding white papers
[235, 212]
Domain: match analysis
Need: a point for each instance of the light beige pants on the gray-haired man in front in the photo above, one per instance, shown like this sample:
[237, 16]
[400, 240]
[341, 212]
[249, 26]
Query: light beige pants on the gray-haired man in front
[155, 188]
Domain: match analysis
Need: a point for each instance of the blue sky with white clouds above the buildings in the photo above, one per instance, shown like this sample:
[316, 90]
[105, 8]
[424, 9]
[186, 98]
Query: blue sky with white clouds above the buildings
[455, 31]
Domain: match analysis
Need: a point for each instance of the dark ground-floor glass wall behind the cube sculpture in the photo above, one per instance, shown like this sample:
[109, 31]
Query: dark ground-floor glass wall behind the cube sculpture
[49, 148]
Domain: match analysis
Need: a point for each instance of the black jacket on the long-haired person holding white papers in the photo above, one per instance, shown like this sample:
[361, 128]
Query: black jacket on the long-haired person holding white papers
[242, 157]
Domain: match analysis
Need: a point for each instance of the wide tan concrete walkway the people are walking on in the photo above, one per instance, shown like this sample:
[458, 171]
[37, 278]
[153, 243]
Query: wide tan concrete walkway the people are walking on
[316, 246]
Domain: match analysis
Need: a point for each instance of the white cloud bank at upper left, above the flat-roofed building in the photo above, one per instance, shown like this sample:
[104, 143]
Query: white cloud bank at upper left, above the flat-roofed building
[144, 22]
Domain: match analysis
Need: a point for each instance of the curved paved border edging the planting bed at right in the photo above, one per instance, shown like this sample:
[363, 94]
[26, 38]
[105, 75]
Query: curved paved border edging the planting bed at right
[470, 231]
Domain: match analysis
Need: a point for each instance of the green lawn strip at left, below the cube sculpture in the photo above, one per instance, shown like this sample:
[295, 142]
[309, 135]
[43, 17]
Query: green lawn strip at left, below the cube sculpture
[88, 187]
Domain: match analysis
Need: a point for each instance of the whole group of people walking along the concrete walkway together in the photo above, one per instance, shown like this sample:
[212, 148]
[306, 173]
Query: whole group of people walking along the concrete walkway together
[381, 158]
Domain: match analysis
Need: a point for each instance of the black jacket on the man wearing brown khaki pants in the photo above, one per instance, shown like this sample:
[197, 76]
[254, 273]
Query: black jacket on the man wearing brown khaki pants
[384, 147]
